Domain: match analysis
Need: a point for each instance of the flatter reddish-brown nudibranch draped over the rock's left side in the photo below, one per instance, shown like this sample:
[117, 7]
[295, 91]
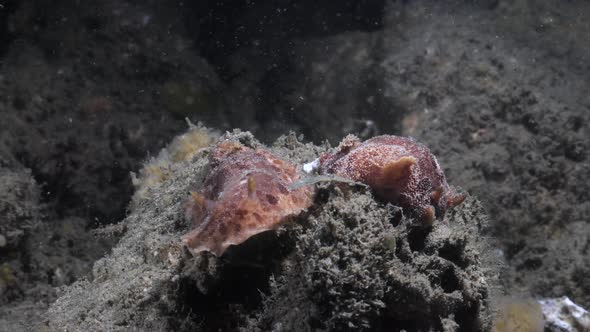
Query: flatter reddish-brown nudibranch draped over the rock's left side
[246, 192]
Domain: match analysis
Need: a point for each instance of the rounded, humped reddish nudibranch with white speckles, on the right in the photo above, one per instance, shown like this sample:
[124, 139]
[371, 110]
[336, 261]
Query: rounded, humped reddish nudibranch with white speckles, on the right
[399, 170]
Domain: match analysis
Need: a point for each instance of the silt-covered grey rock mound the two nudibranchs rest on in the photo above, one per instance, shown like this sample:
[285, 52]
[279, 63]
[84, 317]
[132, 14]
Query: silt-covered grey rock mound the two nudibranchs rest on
[348, 263]
